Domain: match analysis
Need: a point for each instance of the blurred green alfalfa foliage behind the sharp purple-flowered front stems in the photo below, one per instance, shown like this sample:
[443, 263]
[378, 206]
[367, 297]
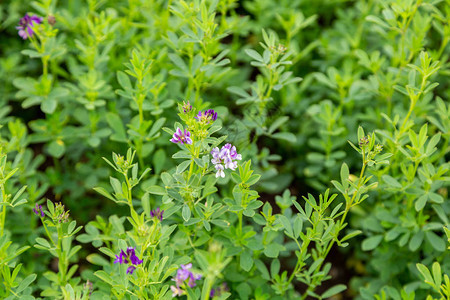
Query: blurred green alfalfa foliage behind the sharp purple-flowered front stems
[291, 81]
